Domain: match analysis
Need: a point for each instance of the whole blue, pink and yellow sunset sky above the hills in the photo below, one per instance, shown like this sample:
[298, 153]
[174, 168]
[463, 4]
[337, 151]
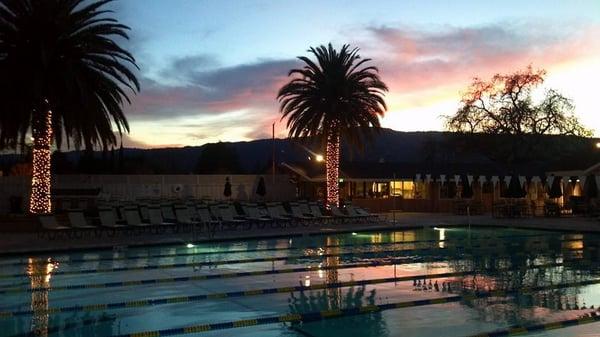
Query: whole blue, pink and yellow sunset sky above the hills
[210, 70]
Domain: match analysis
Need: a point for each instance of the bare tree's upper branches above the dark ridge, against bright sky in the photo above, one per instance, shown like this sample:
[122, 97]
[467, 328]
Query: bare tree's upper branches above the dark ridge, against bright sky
[504, 105]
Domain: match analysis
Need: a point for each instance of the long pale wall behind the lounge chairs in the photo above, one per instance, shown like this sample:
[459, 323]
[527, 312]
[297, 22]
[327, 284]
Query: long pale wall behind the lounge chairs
[131, 187]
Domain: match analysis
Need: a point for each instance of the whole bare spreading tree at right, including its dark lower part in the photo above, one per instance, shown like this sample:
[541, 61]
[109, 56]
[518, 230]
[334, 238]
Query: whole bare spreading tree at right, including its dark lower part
[504, 109]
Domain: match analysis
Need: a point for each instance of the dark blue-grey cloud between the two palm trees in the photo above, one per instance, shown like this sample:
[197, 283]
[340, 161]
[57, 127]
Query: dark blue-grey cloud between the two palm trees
[210, 92]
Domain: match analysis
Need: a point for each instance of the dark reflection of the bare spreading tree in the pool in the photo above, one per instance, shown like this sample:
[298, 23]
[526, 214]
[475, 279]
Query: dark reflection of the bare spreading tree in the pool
[527, 307]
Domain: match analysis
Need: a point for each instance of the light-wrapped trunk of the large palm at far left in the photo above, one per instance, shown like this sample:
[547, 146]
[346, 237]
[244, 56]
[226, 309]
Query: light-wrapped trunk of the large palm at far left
[39, 202]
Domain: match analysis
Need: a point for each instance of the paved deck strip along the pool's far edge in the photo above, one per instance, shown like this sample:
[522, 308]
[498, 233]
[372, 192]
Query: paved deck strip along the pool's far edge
[21, 243]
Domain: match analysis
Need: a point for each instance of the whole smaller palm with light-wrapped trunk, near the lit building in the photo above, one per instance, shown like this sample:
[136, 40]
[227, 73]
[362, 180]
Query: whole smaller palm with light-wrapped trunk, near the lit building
[334, 97]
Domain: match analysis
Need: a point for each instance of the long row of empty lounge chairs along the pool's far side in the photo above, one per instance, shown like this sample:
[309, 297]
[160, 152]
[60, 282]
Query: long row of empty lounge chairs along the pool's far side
[196, 217]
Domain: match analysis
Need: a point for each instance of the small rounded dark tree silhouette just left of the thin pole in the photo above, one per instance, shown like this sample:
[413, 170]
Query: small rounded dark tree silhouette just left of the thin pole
[218, 158]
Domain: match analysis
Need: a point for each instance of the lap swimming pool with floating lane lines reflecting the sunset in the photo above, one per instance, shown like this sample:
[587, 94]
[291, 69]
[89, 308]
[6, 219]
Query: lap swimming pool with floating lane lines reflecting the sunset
[422, 282]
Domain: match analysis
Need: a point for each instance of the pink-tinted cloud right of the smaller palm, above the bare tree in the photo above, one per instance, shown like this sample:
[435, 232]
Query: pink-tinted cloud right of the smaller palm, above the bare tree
[416, 60]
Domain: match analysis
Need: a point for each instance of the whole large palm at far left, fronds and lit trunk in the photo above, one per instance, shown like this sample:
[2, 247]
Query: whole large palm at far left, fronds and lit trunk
[62, 75]
